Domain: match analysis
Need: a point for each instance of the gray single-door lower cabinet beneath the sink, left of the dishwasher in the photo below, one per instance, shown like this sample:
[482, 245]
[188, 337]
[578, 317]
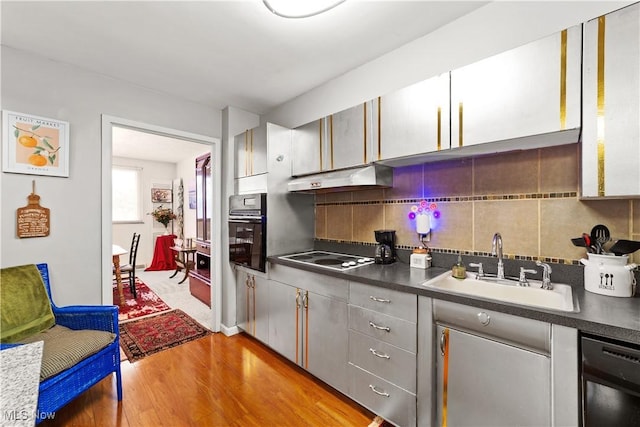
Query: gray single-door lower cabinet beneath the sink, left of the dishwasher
[483, 380]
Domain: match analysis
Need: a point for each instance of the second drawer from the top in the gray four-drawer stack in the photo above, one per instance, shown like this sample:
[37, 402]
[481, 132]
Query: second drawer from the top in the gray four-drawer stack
[392, 330]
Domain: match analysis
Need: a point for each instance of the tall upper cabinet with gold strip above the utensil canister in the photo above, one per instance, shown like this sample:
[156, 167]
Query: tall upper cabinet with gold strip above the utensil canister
[611, 105]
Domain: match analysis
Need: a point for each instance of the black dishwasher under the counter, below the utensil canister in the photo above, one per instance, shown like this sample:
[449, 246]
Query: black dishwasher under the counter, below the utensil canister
[610, 382]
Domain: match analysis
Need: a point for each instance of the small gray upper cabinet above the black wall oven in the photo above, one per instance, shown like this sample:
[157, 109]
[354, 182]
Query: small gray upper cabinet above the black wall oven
[251, 152]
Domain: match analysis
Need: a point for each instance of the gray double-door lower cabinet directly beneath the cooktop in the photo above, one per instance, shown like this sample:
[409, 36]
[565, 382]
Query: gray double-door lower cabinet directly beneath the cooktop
[308, 325]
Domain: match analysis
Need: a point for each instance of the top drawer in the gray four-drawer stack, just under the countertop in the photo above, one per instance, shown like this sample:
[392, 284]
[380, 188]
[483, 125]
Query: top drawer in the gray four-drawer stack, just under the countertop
[383, 300]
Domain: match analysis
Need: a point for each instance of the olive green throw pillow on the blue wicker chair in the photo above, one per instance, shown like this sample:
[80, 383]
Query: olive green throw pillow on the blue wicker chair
[24, 305]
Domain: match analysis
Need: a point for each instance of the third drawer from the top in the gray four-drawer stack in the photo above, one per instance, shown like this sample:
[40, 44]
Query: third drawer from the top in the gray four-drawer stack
[384, 360]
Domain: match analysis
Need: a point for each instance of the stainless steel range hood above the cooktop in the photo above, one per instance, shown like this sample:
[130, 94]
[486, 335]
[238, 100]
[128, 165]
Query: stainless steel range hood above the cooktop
[360, 178]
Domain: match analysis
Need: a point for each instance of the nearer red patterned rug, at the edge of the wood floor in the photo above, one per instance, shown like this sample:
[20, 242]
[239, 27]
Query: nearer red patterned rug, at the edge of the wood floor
[150, 335]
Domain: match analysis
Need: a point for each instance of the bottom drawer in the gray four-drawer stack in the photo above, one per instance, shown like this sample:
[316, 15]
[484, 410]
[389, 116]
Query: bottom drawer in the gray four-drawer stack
[381, 397]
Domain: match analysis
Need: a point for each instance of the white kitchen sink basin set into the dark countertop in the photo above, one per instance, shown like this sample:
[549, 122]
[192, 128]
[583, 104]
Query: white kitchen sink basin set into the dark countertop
[559, 298]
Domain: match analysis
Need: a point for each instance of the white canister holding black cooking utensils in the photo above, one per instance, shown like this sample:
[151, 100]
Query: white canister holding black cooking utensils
[609, 275]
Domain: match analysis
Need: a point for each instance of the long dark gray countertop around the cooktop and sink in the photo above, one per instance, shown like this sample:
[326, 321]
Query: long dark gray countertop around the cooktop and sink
[613, 317]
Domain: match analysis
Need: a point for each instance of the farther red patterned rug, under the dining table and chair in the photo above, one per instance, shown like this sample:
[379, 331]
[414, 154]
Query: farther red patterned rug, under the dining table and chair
[147, 303]
